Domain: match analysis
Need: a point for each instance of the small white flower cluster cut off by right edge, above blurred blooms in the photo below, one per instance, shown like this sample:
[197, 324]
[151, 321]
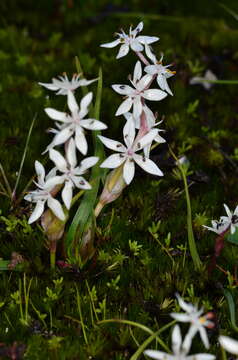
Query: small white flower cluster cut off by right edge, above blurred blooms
[225, 222]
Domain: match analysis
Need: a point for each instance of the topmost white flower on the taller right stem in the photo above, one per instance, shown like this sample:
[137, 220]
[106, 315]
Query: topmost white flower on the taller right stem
[136, 43]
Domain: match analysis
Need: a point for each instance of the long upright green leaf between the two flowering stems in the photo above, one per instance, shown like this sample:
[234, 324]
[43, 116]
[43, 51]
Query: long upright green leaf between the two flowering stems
[84, 216]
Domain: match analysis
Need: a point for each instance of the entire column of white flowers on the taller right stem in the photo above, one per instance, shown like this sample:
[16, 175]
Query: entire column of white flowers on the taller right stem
[140, 128]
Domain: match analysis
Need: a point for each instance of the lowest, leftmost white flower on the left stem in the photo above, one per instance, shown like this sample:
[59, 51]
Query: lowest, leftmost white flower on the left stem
[45, 184]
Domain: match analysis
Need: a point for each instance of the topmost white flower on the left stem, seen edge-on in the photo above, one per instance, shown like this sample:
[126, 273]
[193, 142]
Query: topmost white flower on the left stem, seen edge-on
[63, 84]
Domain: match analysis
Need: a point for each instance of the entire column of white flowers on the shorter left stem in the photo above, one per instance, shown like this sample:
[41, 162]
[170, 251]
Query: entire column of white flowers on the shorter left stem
[66, 174]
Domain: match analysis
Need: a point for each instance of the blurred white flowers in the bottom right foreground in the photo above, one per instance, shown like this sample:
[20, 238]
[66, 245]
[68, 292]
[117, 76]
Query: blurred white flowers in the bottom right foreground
[198, 323]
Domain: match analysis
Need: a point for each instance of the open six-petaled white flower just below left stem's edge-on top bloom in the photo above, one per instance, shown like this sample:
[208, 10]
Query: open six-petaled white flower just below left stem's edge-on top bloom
[74, 123]
